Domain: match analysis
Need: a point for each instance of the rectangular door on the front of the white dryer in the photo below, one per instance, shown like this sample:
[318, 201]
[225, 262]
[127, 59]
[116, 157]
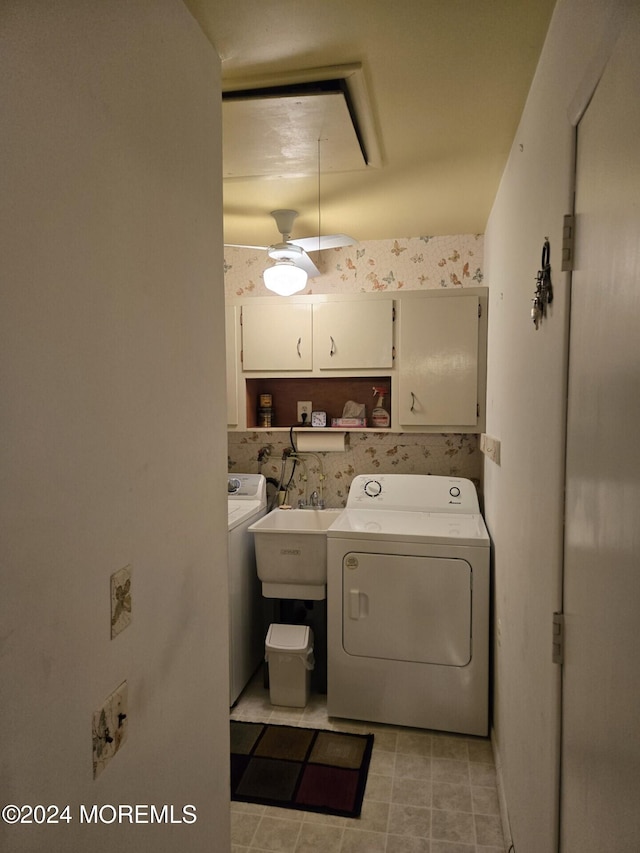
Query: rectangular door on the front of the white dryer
[407, 608]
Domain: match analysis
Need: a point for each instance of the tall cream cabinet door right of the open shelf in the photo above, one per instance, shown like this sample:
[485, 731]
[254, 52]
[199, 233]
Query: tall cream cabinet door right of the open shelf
[438, 361]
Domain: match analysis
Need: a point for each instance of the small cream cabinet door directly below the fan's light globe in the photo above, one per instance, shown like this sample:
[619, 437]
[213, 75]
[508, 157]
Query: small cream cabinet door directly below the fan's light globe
[276, 337]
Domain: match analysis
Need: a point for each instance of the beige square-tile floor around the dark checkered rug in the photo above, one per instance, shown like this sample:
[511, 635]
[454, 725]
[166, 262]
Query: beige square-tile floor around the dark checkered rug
[427, 792]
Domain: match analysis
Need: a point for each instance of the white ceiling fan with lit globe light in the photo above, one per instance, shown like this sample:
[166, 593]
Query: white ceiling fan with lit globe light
[292, 263]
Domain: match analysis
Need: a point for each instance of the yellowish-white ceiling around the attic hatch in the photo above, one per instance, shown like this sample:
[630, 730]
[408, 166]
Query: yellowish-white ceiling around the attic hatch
[445, 81]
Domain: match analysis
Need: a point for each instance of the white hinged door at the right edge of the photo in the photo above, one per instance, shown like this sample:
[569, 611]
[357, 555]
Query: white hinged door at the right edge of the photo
[600, 781]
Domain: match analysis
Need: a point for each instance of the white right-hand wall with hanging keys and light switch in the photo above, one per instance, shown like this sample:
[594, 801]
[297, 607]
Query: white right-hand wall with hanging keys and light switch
[526, 411]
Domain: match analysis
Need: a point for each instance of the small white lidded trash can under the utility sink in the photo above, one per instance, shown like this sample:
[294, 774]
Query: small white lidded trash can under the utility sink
[289, 653]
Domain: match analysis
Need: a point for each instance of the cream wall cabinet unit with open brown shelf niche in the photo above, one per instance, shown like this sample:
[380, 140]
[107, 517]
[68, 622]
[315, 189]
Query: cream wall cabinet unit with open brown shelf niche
[427, 348]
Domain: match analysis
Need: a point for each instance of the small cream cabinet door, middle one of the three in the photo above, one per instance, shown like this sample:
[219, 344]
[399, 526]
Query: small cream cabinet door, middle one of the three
[356, 335]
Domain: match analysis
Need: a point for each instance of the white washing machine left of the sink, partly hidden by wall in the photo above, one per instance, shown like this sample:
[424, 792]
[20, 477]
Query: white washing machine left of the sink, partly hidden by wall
[247, 495]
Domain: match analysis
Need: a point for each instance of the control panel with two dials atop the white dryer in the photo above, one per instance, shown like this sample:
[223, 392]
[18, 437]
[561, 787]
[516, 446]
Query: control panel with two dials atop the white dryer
[413, 492]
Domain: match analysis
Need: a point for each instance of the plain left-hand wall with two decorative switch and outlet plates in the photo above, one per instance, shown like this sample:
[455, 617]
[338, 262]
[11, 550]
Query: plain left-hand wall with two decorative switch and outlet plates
[112, 433]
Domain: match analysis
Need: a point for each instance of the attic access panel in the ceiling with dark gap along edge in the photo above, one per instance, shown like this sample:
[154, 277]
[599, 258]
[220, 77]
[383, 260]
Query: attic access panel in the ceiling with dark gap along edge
[275, 131]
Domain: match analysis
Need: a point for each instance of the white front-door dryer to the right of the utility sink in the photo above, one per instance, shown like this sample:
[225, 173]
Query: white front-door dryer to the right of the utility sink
[408, 604]
